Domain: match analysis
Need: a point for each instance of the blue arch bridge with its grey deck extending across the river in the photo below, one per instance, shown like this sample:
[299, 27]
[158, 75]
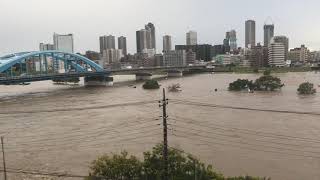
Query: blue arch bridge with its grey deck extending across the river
[56, 65]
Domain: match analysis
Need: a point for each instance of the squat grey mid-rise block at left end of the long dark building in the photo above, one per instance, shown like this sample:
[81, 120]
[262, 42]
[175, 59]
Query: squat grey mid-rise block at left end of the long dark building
[175, 58]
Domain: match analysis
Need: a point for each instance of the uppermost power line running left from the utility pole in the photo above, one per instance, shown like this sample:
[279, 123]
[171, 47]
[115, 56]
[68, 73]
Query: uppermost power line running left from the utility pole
[80, 108]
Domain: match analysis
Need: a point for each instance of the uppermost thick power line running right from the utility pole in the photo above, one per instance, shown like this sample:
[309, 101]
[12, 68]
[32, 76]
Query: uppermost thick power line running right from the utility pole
[185, 102]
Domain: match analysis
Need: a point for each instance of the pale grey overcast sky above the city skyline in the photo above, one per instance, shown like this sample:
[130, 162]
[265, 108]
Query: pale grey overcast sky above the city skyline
[26, 23]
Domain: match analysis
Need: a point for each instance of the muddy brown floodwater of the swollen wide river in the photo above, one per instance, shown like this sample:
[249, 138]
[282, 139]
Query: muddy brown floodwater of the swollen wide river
[54, 128]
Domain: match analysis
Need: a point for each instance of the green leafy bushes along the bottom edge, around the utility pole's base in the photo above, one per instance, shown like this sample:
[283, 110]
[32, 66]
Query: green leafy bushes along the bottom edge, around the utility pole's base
[182, 166]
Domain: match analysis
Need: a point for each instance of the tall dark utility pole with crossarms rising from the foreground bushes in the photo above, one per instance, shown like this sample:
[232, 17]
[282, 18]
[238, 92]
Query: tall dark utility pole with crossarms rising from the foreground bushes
[164, 104]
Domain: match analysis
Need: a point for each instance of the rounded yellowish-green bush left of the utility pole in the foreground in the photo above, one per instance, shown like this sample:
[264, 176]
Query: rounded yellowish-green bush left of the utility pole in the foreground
[116, 167]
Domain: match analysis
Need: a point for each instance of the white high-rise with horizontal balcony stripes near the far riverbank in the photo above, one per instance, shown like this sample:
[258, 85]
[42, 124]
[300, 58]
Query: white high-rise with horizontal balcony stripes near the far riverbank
[276, 54]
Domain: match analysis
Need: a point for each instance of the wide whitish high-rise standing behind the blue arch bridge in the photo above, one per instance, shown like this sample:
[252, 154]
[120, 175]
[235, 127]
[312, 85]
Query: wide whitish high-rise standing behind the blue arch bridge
[63, 42]
